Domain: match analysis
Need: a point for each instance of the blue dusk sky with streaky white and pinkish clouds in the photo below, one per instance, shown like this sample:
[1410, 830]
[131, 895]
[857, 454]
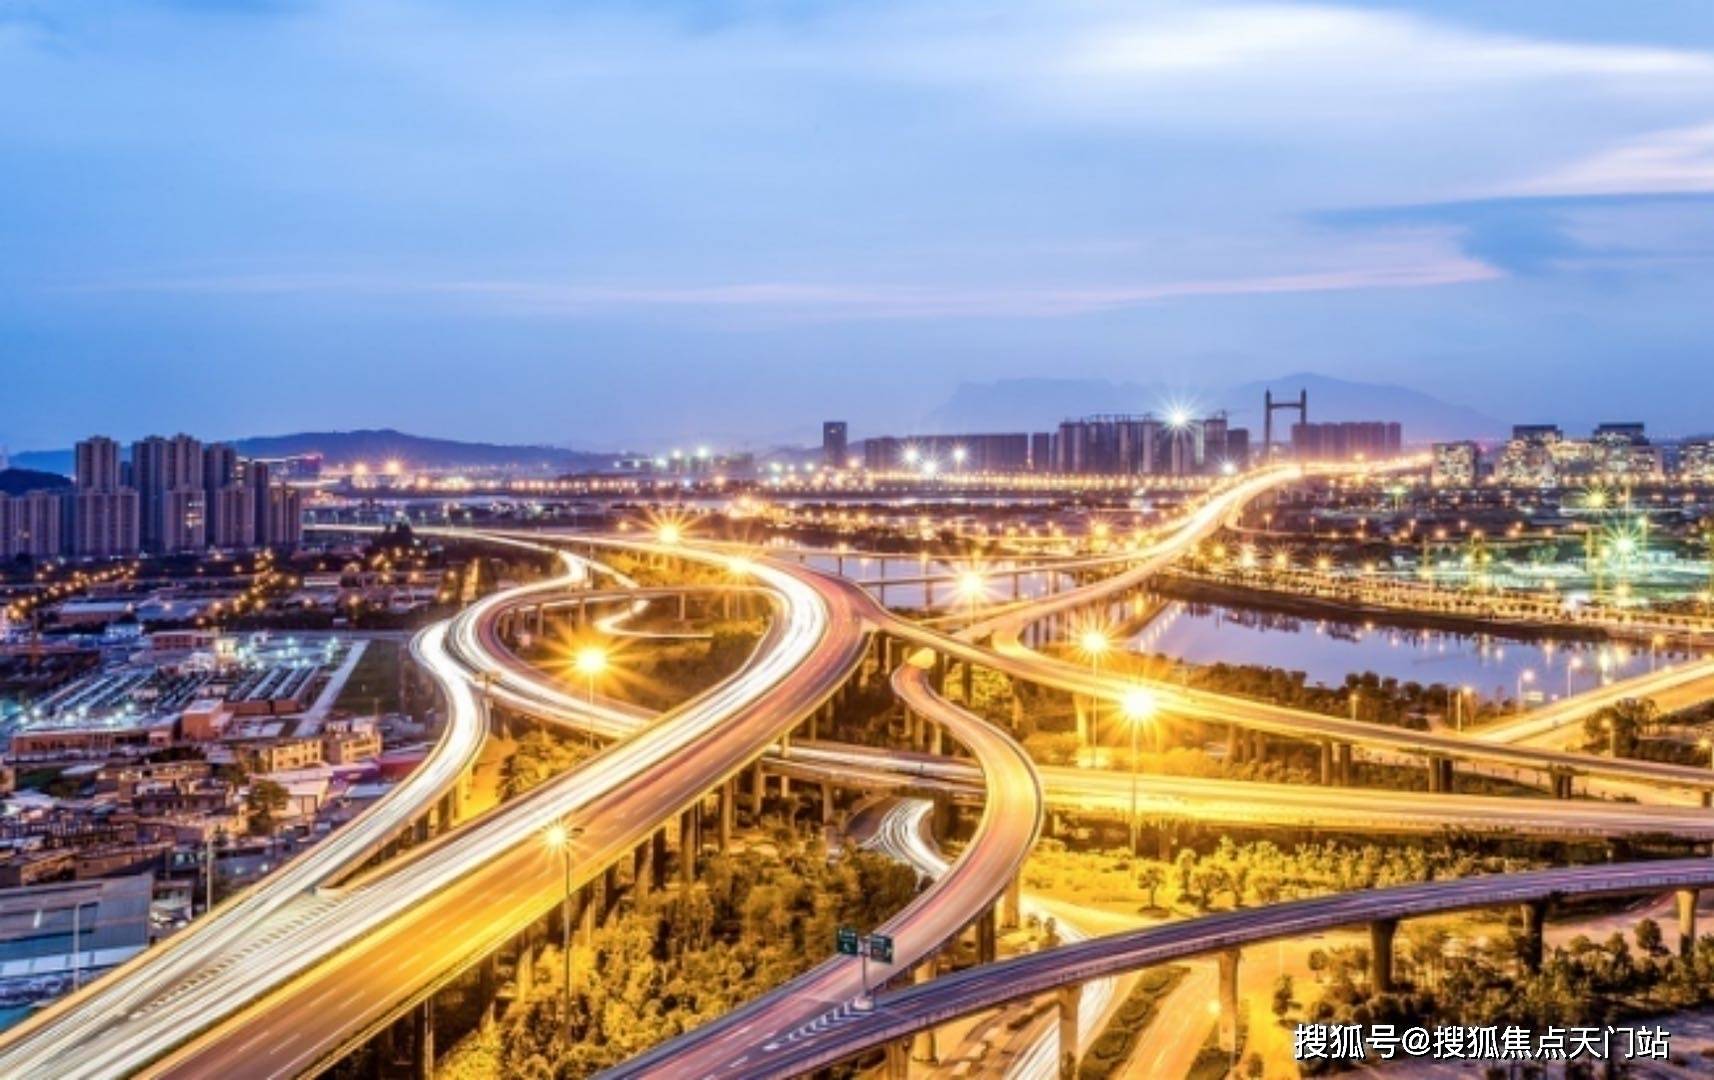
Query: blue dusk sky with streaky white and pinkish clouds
[621, 224]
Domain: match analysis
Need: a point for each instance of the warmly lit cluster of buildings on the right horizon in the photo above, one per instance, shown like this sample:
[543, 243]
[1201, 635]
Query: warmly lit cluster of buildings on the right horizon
[1540, 455]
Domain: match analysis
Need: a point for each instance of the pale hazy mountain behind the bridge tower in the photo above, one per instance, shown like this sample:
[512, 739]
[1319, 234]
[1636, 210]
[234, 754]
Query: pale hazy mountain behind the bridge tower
[1034, 405]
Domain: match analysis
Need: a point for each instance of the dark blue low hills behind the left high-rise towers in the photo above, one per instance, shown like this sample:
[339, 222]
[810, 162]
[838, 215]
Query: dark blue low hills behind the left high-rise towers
[378, 447]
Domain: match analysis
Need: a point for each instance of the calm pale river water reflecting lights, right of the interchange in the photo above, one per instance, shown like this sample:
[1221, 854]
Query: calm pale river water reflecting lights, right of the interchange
[1327, 652]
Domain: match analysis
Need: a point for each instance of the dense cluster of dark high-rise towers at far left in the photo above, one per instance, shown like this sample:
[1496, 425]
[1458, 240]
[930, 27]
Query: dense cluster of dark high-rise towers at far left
[171, 496]
